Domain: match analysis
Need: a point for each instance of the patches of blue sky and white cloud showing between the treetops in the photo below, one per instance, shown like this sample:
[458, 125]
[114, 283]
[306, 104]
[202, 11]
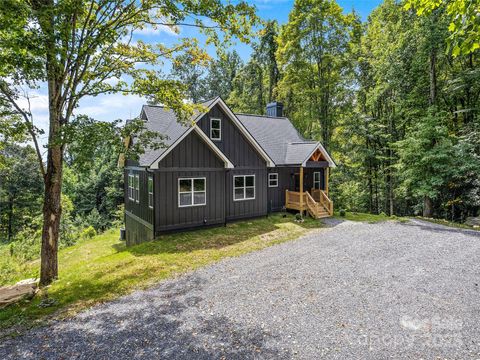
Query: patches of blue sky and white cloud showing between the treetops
[117, 106]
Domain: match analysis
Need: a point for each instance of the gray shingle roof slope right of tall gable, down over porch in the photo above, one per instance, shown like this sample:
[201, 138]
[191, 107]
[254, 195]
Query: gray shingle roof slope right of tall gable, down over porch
[279, 138]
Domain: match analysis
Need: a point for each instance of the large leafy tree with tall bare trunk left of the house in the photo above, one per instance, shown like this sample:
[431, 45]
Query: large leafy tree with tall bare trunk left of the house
[81, 48]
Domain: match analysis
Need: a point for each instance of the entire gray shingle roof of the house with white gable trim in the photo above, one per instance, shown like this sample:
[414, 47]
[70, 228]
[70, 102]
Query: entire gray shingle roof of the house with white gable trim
[274, 138]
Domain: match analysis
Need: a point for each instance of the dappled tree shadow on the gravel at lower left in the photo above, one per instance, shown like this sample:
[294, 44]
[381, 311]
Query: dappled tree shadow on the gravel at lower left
[164, 322]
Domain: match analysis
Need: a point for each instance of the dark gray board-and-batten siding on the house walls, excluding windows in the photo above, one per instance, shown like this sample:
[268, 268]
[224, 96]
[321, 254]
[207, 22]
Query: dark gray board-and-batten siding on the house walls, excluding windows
[192, 157]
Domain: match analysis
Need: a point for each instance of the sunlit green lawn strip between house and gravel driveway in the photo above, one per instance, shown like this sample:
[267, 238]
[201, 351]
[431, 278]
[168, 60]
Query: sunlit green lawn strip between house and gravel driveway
[102, 268]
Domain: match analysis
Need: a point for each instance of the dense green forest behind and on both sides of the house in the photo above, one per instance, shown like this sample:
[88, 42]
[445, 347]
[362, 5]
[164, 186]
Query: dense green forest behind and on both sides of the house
[393, 102]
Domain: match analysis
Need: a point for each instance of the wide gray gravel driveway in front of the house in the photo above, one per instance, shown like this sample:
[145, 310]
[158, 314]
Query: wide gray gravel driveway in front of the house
[354, 290]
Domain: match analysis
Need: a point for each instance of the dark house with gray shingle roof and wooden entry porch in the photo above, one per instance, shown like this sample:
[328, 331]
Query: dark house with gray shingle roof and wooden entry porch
[222, 168]
